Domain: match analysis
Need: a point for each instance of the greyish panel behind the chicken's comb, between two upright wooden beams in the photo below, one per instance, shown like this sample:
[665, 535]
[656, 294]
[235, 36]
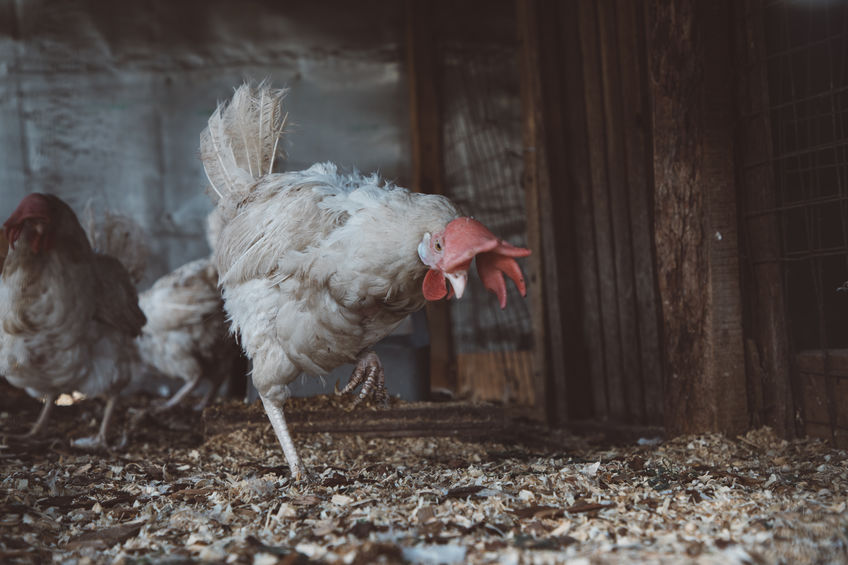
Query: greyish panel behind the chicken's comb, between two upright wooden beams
[482, 142]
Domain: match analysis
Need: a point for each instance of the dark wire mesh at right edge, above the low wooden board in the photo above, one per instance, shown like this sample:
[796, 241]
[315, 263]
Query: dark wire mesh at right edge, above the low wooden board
[807, 66]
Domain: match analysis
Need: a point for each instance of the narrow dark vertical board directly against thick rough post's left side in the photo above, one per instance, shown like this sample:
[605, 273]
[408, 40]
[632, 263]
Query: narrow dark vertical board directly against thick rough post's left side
[636, 117]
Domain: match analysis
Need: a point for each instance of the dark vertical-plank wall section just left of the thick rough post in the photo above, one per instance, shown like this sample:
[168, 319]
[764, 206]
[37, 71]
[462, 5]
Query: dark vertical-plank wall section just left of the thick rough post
[596, 185]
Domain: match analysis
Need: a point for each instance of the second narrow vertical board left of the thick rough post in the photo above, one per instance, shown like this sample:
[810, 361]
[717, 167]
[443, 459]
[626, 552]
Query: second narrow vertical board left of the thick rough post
[619, 190]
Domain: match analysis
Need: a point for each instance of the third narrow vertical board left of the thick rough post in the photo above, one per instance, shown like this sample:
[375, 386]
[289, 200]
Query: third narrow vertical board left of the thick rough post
[595, 127]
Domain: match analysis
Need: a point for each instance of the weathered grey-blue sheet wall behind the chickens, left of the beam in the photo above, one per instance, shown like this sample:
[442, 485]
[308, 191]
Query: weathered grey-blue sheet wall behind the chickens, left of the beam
[106, 100]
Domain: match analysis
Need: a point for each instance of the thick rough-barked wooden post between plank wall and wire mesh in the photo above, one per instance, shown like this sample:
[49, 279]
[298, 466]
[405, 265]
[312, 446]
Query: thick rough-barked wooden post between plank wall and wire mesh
[691, 70]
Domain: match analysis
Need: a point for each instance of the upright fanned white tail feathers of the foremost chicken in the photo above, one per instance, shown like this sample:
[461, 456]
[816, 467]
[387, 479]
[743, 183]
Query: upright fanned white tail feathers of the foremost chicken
[240, 144]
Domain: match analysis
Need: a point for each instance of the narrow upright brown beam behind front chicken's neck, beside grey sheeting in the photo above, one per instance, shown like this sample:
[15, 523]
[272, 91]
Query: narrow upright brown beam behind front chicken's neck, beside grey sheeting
[427, 166]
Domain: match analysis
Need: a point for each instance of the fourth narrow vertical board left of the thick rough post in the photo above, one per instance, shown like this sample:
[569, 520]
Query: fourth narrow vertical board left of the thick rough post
[576, 162]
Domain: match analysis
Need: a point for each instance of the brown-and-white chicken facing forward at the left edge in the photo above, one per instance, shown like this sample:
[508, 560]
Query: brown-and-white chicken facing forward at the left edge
[68, 313]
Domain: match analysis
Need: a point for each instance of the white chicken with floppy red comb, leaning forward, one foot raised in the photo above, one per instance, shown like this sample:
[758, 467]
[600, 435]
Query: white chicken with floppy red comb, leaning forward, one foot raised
[317, 266]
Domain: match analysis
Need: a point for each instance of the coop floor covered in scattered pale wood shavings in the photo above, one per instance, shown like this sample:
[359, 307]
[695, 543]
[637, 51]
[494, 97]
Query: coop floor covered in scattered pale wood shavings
[479, 489]
